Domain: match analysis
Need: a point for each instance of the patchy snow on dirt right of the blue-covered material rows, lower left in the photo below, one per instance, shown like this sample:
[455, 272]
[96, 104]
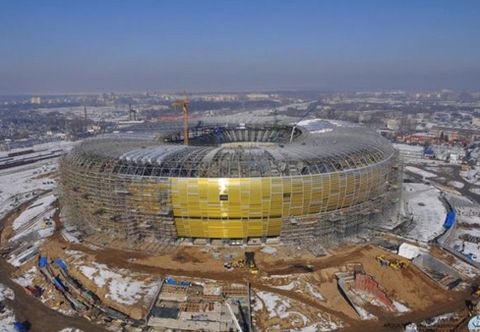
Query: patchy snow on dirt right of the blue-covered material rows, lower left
[123, 286]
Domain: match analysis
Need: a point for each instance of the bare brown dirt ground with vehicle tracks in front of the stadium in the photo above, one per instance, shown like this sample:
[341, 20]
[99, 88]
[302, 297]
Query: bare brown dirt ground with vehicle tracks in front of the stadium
[409, 286]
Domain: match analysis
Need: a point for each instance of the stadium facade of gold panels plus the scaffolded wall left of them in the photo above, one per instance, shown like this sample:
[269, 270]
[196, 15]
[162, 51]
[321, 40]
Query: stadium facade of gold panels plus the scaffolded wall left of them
[170, 207]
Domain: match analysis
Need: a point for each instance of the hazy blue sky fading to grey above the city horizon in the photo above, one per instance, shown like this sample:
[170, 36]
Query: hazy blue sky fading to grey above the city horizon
[204, 45]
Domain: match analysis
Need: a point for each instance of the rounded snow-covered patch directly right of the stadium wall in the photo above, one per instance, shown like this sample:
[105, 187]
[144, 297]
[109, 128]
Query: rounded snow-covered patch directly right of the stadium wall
[423, 203]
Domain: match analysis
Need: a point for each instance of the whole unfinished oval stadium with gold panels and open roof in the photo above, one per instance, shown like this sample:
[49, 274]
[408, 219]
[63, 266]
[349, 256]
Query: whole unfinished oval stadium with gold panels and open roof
[316, 180]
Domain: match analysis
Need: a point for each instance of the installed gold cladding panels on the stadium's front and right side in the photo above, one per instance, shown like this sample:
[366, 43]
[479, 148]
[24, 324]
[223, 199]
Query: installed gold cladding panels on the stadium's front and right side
[254, 207]
